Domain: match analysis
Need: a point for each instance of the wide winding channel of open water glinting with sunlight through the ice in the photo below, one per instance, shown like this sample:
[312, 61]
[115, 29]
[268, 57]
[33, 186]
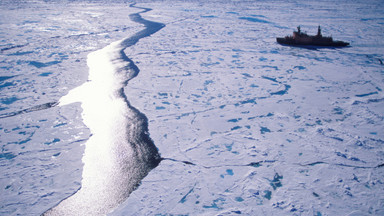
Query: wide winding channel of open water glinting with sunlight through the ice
[120, 153]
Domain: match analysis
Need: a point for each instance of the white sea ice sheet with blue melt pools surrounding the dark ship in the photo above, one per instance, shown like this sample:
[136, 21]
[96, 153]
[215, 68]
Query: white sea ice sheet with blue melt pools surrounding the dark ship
[246, 126]
